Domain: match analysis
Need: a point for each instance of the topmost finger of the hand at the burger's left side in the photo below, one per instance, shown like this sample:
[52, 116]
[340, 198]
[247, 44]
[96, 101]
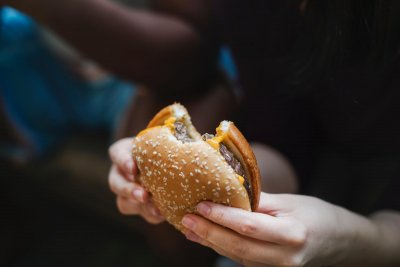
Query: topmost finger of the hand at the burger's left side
[121, 155]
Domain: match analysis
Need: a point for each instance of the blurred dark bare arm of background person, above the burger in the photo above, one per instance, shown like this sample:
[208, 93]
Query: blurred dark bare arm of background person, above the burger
[147, 47]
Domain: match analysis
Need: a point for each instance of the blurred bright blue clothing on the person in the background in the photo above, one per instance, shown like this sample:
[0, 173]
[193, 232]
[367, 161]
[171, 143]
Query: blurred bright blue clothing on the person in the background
[42, 98]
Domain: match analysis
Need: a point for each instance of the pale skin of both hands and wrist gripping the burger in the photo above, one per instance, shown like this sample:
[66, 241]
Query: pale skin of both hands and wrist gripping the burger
[286, 229]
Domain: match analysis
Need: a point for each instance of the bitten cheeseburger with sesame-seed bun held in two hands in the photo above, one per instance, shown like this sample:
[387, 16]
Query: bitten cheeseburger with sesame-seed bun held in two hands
[180, 167]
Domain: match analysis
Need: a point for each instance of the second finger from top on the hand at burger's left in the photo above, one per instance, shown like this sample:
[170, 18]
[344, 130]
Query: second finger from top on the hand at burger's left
[121, 187]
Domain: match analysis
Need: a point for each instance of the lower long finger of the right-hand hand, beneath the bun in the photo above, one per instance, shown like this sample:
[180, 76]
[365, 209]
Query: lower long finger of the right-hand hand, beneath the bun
[234, 244]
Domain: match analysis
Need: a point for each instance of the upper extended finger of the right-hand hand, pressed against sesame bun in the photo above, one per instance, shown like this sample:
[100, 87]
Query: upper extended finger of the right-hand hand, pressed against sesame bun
[251, 224]
